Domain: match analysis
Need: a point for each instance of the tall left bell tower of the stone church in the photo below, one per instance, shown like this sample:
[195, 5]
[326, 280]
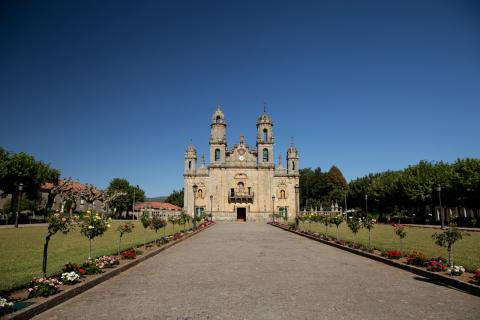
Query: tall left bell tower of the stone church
[218, 137]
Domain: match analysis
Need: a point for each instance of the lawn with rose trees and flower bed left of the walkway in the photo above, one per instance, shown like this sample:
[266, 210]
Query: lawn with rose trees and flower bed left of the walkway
[42, 261]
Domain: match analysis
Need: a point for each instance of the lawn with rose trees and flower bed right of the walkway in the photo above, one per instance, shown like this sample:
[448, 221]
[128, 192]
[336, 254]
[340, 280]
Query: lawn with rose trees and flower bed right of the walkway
[450, 251]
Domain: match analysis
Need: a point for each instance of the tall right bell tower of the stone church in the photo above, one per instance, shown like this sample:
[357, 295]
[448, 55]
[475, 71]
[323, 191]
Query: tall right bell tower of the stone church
[265, 139]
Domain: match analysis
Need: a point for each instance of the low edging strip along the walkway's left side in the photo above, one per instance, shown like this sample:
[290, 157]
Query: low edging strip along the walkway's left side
[50, 302]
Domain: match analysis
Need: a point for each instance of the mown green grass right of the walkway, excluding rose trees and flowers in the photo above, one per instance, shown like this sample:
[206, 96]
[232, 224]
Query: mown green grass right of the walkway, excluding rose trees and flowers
[466, 251]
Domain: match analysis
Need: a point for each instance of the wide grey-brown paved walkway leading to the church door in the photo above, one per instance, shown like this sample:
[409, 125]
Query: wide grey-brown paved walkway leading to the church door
[255, 271]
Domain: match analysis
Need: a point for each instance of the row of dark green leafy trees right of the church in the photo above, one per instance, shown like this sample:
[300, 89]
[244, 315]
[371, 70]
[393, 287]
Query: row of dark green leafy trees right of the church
[411, 192]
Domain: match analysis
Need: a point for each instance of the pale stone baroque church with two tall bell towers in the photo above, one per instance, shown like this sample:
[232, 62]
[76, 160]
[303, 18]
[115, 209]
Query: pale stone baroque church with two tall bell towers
[241, 183]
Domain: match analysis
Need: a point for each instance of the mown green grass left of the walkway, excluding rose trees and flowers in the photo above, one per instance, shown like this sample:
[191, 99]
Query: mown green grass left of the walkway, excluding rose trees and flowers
[22, 250]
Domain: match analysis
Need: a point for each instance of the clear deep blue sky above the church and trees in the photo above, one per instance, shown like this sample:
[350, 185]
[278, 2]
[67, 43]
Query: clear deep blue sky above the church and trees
[104, 89]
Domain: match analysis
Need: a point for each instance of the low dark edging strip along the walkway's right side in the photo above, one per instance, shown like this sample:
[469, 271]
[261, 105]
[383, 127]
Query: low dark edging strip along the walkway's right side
[451, 282]
